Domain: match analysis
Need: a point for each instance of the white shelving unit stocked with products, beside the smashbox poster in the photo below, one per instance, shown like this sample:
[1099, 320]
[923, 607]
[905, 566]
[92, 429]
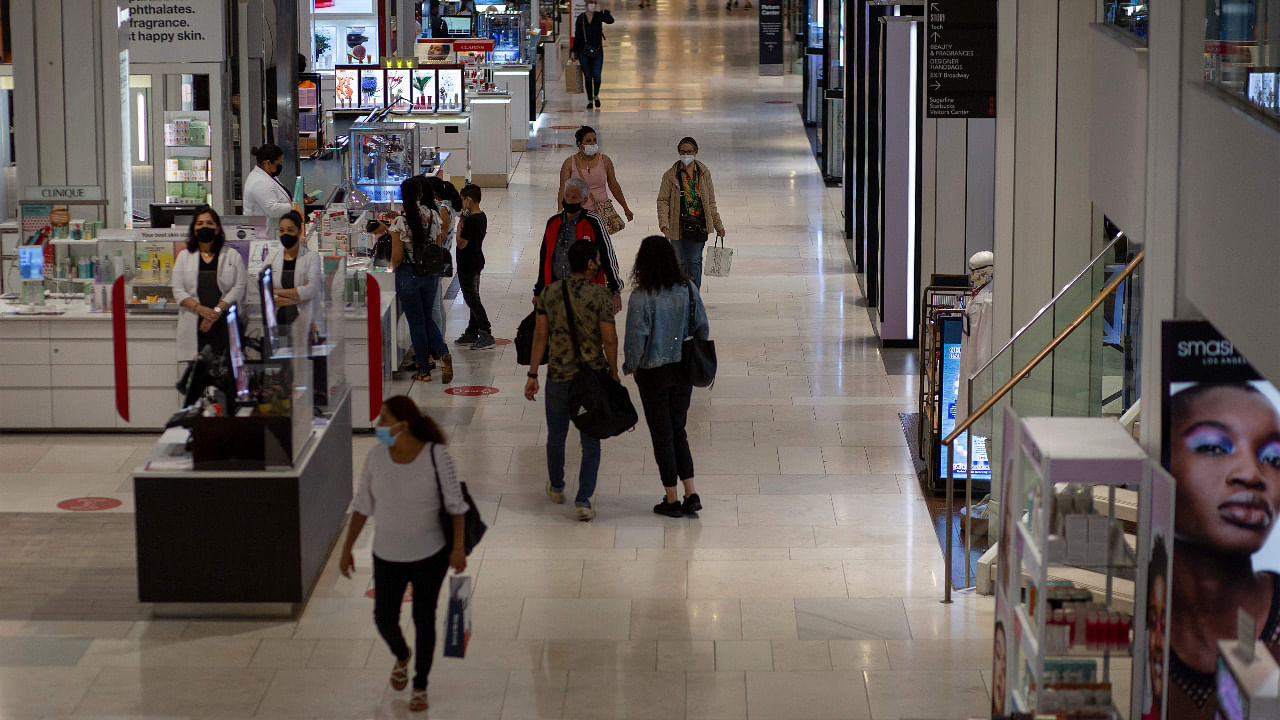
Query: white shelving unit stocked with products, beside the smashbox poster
[1072, 589]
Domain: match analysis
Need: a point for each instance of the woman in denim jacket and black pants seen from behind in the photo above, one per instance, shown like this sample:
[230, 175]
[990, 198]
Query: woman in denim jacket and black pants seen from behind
[657, 327]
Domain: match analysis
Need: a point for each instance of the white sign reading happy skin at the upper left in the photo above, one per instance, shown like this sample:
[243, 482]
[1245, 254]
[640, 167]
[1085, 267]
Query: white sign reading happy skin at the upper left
[176, 31]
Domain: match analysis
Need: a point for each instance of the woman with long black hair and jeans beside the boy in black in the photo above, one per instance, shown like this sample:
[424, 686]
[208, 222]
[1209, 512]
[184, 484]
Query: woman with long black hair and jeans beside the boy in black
[418, 257]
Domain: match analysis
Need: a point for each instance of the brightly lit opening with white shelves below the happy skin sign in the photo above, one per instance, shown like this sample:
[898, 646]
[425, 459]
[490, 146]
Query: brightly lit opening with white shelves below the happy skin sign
[179, 145]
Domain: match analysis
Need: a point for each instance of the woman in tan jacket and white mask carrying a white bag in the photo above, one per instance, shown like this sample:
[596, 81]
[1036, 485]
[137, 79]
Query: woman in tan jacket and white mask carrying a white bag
[687, 209]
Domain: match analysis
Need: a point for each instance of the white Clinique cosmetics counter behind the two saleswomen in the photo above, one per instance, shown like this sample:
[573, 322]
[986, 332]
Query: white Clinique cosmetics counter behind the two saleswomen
[58, 366]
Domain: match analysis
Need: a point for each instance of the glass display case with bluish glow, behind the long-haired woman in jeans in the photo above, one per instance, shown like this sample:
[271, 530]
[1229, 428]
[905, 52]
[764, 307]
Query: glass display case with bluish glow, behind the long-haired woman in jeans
[382, 157]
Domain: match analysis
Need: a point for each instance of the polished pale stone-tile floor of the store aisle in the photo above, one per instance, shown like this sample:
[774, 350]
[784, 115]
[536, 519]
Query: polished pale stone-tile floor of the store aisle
[808, 589]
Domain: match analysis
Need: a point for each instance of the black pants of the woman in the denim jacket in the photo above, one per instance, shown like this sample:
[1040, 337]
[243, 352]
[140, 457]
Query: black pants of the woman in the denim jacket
[666, 397]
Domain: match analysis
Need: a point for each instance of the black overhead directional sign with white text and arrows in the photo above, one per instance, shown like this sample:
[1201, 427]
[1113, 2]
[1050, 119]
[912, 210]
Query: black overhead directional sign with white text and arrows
[961, 60]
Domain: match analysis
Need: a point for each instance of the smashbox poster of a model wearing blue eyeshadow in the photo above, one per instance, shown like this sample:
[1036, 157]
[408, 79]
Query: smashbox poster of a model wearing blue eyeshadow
[1222, 443]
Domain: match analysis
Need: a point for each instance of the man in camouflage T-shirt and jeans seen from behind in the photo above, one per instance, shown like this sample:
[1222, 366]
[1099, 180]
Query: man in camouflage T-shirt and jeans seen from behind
[598, 344]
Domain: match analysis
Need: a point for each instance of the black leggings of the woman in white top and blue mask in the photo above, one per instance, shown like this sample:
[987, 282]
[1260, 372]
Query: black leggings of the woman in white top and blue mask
[427, 576]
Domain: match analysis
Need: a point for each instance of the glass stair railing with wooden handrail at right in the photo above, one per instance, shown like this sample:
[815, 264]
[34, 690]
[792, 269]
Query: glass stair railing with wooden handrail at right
[1077, 349]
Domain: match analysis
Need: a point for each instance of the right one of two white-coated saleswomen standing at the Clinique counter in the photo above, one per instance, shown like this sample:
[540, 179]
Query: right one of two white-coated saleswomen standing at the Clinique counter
[298, 277]
